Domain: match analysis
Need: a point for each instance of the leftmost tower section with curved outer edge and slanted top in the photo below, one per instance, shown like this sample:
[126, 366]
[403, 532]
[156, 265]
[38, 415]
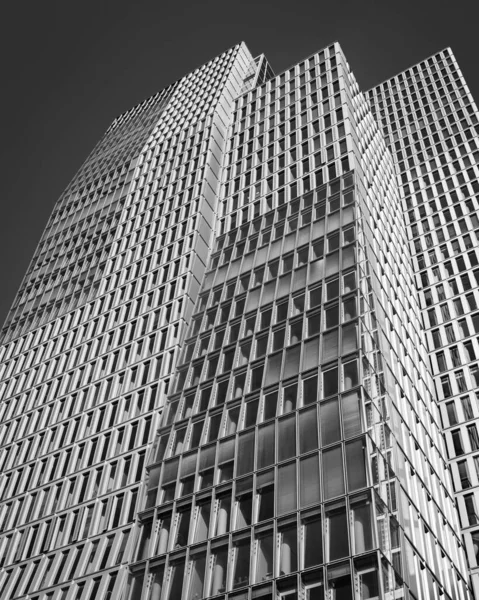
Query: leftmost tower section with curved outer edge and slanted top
[93, 337]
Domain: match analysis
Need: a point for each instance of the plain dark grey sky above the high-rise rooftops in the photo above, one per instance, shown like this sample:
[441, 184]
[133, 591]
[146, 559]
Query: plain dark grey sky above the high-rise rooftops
[70, 66]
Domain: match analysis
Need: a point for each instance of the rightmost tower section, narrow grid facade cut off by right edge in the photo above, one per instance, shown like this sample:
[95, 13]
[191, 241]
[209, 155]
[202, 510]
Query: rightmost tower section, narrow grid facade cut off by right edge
[430, 123]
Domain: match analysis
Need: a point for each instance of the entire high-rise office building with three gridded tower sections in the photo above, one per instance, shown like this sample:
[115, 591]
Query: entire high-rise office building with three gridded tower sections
[226, 372]
